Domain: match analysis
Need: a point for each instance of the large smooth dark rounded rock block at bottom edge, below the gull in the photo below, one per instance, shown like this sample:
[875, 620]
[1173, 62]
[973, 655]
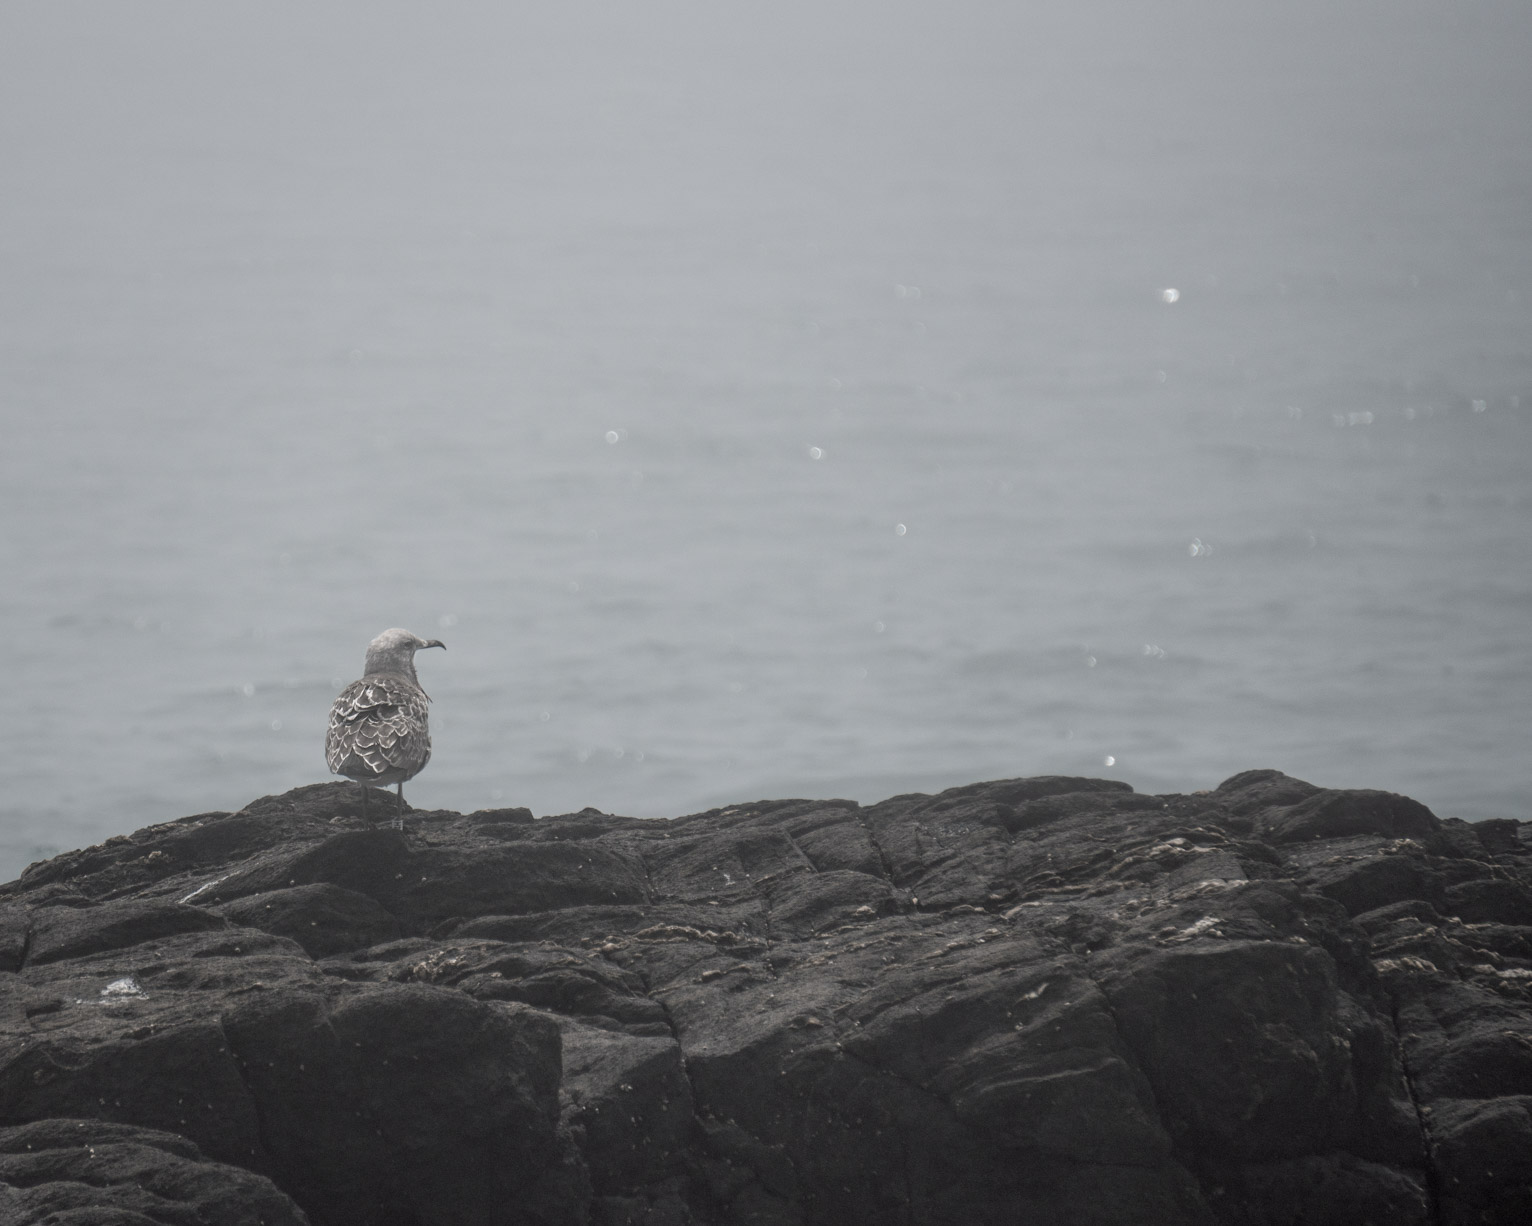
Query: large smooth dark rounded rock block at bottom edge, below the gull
[410, 1104]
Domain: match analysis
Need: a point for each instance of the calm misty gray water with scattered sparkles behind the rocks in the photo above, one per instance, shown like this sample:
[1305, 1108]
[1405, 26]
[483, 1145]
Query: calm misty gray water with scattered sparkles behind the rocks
[764, 401]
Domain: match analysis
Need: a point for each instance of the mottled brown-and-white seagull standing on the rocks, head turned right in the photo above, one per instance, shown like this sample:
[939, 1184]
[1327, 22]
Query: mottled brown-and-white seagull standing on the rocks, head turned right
[378, 727]
